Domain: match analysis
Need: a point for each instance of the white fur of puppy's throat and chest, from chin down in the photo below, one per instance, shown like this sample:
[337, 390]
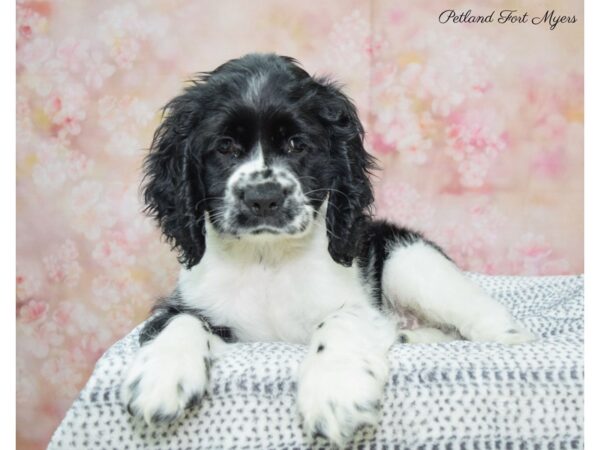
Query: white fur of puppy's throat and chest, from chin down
[270, 289]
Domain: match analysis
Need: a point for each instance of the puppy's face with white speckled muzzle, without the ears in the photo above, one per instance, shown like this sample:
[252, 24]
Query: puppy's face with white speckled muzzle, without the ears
[263, 161]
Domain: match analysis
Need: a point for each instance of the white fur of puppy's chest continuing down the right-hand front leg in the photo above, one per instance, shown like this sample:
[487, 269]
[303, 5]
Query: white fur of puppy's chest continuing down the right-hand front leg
[272, 290]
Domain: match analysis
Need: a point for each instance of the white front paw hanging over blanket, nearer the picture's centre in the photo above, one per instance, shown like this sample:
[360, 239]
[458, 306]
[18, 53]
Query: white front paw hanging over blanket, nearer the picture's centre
[337, 395]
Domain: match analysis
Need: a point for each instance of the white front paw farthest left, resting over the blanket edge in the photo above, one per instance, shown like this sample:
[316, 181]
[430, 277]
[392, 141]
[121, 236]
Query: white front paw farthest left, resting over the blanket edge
[162, 382]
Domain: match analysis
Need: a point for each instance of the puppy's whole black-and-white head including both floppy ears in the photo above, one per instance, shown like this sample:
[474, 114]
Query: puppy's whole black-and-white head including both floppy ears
[256, 147]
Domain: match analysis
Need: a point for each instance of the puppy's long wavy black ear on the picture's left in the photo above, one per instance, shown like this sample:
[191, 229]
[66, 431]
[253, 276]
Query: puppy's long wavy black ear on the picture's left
[172, 186]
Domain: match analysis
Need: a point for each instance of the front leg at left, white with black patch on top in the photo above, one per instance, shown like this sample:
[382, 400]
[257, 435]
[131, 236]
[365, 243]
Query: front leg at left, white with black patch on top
[172, 368]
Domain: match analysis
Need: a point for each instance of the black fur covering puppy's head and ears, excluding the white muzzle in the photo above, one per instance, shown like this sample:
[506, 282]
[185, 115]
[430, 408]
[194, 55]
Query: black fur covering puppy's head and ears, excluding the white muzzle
[185, 177]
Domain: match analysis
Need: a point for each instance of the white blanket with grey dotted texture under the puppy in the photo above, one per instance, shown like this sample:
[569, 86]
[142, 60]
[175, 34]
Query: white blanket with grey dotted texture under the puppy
[451, 396]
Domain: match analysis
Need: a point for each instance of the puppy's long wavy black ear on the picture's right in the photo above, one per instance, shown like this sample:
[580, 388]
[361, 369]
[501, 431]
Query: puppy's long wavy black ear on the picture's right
[351, 194]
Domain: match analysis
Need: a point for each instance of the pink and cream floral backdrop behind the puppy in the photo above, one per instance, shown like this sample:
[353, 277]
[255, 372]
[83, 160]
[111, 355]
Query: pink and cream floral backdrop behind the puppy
[478, 129]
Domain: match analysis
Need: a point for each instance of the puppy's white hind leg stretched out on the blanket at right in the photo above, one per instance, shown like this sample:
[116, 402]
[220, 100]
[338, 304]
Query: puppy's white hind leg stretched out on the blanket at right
[418, 276]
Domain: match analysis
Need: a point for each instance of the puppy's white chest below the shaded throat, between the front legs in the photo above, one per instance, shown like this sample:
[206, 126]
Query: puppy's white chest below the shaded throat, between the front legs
[265, 302]
